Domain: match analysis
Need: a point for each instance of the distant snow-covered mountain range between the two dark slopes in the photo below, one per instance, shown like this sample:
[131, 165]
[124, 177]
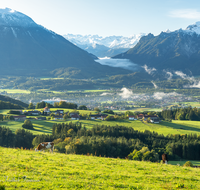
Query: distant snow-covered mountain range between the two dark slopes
[104, 46]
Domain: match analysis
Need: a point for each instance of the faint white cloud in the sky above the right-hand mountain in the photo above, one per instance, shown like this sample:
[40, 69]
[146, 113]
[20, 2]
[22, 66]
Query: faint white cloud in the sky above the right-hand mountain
[185, 13]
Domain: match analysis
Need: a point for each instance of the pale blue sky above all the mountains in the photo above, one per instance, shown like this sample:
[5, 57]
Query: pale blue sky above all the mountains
[109, 17]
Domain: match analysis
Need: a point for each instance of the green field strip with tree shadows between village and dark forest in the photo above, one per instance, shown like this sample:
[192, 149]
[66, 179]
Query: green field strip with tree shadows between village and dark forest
[165, 128]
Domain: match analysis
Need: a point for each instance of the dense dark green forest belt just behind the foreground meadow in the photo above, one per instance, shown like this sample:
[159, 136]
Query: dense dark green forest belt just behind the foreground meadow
[120, 141]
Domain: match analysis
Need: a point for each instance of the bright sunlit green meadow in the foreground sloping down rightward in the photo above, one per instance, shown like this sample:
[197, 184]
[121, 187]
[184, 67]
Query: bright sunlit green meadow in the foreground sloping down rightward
[25, 169]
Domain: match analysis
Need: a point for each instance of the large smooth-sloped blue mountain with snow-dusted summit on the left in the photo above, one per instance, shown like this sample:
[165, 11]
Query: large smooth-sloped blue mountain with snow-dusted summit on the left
[30, 49]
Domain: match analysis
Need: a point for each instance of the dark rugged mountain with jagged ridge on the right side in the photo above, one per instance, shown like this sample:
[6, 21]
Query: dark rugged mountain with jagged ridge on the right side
[178, 50]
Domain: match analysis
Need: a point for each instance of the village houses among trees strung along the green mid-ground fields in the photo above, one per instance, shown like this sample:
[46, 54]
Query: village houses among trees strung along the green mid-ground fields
[47, 114]
